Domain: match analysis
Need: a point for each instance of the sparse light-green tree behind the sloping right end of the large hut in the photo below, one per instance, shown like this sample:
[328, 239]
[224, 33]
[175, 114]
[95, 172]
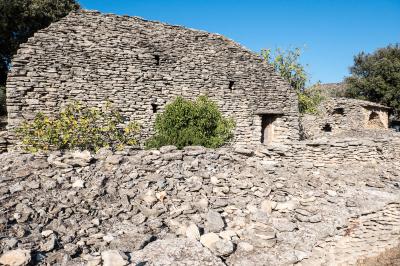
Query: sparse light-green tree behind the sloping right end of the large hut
[287, 65]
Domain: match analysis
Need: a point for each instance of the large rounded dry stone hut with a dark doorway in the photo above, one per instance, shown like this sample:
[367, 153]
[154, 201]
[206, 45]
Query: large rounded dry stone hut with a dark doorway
[140, 66]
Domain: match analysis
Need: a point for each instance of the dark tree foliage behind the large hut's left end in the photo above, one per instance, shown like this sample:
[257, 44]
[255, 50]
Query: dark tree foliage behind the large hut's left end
[19, 20]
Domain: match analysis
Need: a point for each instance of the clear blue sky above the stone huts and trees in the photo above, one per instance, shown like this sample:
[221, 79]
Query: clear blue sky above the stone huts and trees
[333, 31]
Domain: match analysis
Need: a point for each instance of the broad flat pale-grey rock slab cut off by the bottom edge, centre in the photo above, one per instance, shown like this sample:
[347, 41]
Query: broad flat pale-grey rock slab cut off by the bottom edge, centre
[175, 251]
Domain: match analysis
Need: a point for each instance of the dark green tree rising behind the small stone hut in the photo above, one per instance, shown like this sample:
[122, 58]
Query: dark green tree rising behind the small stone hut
[376, 77]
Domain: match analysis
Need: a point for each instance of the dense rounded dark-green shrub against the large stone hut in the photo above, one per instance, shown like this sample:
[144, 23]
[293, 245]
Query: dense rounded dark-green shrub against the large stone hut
[186, 123]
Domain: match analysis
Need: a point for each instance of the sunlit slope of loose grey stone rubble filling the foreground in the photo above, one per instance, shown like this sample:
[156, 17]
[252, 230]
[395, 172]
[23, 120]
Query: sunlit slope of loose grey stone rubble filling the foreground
[193, 207]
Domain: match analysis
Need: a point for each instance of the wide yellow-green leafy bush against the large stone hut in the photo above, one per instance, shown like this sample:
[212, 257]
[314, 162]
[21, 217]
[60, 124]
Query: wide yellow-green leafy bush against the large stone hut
[78, 126]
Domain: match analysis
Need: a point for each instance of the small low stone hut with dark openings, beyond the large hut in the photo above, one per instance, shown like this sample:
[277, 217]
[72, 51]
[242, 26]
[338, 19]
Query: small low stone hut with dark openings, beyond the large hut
[346, 117]
